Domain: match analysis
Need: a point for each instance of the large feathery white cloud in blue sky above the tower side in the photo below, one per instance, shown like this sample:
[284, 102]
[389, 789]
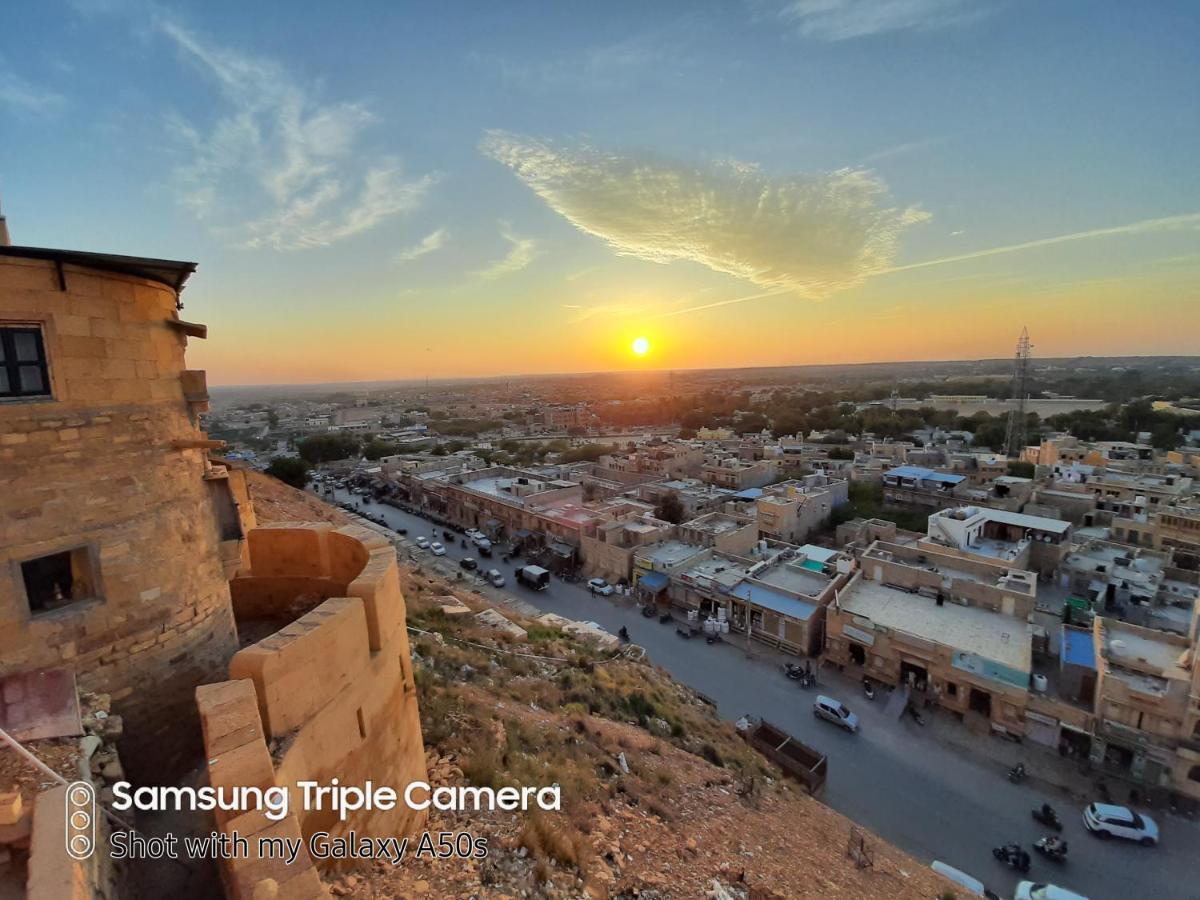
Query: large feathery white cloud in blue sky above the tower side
[280, 169]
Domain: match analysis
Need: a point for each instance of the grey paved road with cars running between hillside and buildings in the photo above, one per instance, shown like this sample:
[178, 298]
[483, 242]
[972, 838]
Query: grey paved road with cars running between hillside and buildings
[891, 777]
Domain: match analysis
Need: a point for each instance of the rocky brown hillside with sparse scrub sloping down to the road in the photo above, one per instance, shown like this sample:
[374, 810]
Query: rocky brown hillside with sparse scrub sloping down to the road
[661, 797]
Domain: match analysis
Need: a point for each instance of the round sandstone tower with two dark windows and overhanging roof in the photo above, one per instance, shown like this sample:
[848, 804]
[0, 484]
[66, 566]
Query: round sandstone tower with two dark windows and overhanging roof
[118, 537]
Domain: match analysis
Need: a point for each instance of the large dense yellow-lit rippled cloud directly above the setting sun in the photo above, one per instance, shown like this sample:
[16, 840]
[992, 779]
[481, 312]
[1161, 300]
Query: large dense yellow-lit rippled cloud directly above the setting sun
[811, 235]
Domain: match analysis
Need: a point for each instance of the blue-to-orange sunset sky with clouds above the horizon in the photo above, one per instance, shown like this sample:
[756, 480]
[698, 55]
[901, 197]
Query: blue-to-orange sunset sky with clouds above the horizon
[410, 190]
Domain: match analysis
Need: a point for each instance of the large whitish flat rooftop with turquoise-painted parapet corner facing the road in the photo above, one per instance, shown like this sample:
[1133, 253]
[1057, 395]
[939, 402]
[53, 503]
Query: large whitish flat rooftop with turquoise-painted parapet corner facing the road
[992, 635]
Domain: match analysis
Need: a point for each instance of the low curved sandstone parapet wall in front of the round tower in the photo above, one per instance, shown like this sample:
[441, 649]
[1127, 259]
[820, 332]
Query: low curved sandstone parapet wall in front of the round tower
[333, 692]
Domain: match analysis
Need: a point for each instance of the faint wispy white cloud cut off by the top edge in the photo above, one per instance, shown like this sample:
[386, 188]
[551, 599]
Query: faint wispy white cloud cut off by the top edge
[847, 20]
